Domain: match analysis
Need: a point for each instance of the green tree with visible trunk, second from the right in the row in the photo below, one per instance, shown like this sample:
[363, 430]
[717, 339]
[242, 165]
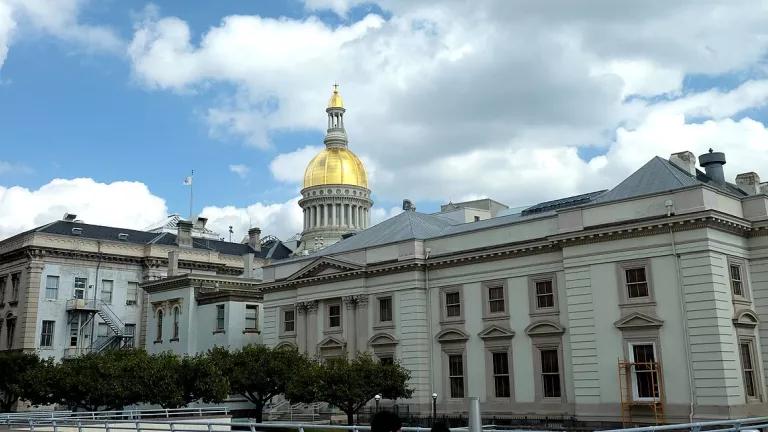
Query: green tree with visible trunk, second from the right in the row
[259, 373]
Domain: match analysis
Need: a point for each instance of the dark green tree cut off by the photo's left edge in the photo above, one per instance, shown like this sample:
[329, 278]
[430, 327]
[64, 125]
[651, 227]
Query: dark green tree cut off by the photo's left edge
[17, 373]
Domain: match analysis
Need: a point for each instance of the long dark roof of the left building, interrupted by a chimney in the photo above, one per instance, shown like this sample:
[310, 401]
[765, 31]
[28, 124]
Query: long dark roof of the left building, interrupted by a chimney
[101, 232]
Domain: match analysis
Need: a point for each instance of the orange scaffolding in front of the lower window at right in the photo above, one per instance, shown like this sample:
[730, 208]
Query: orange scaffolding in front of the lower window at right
[641, 387]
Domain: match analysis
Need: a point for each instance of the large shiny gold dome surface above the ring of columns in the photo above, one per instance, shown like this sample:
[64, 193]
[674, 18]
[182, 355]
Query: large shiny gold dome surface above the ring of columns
[335, 165]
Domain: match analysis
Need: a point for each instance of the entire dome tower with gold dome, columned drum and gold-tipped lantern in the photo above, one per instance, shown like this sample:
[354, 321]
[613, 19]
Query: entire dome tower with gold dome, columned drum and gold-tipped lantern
[335, 197]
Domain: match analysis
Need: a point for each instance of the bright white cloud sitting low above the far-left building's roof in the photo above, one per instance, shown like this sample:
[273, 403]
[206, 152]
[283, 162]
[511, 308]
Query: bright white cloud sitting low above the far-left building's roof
[123, 203]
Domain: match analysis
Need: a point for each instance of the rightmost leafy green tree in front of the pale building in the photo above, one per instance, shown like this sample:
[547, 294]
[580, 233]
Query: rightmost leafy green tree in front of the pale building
[350, 384]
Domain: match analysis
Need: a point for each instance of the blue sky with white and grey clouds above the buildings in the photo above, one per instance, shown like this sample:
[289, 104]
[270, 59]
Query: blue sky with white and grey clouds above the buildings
[107, 105]
